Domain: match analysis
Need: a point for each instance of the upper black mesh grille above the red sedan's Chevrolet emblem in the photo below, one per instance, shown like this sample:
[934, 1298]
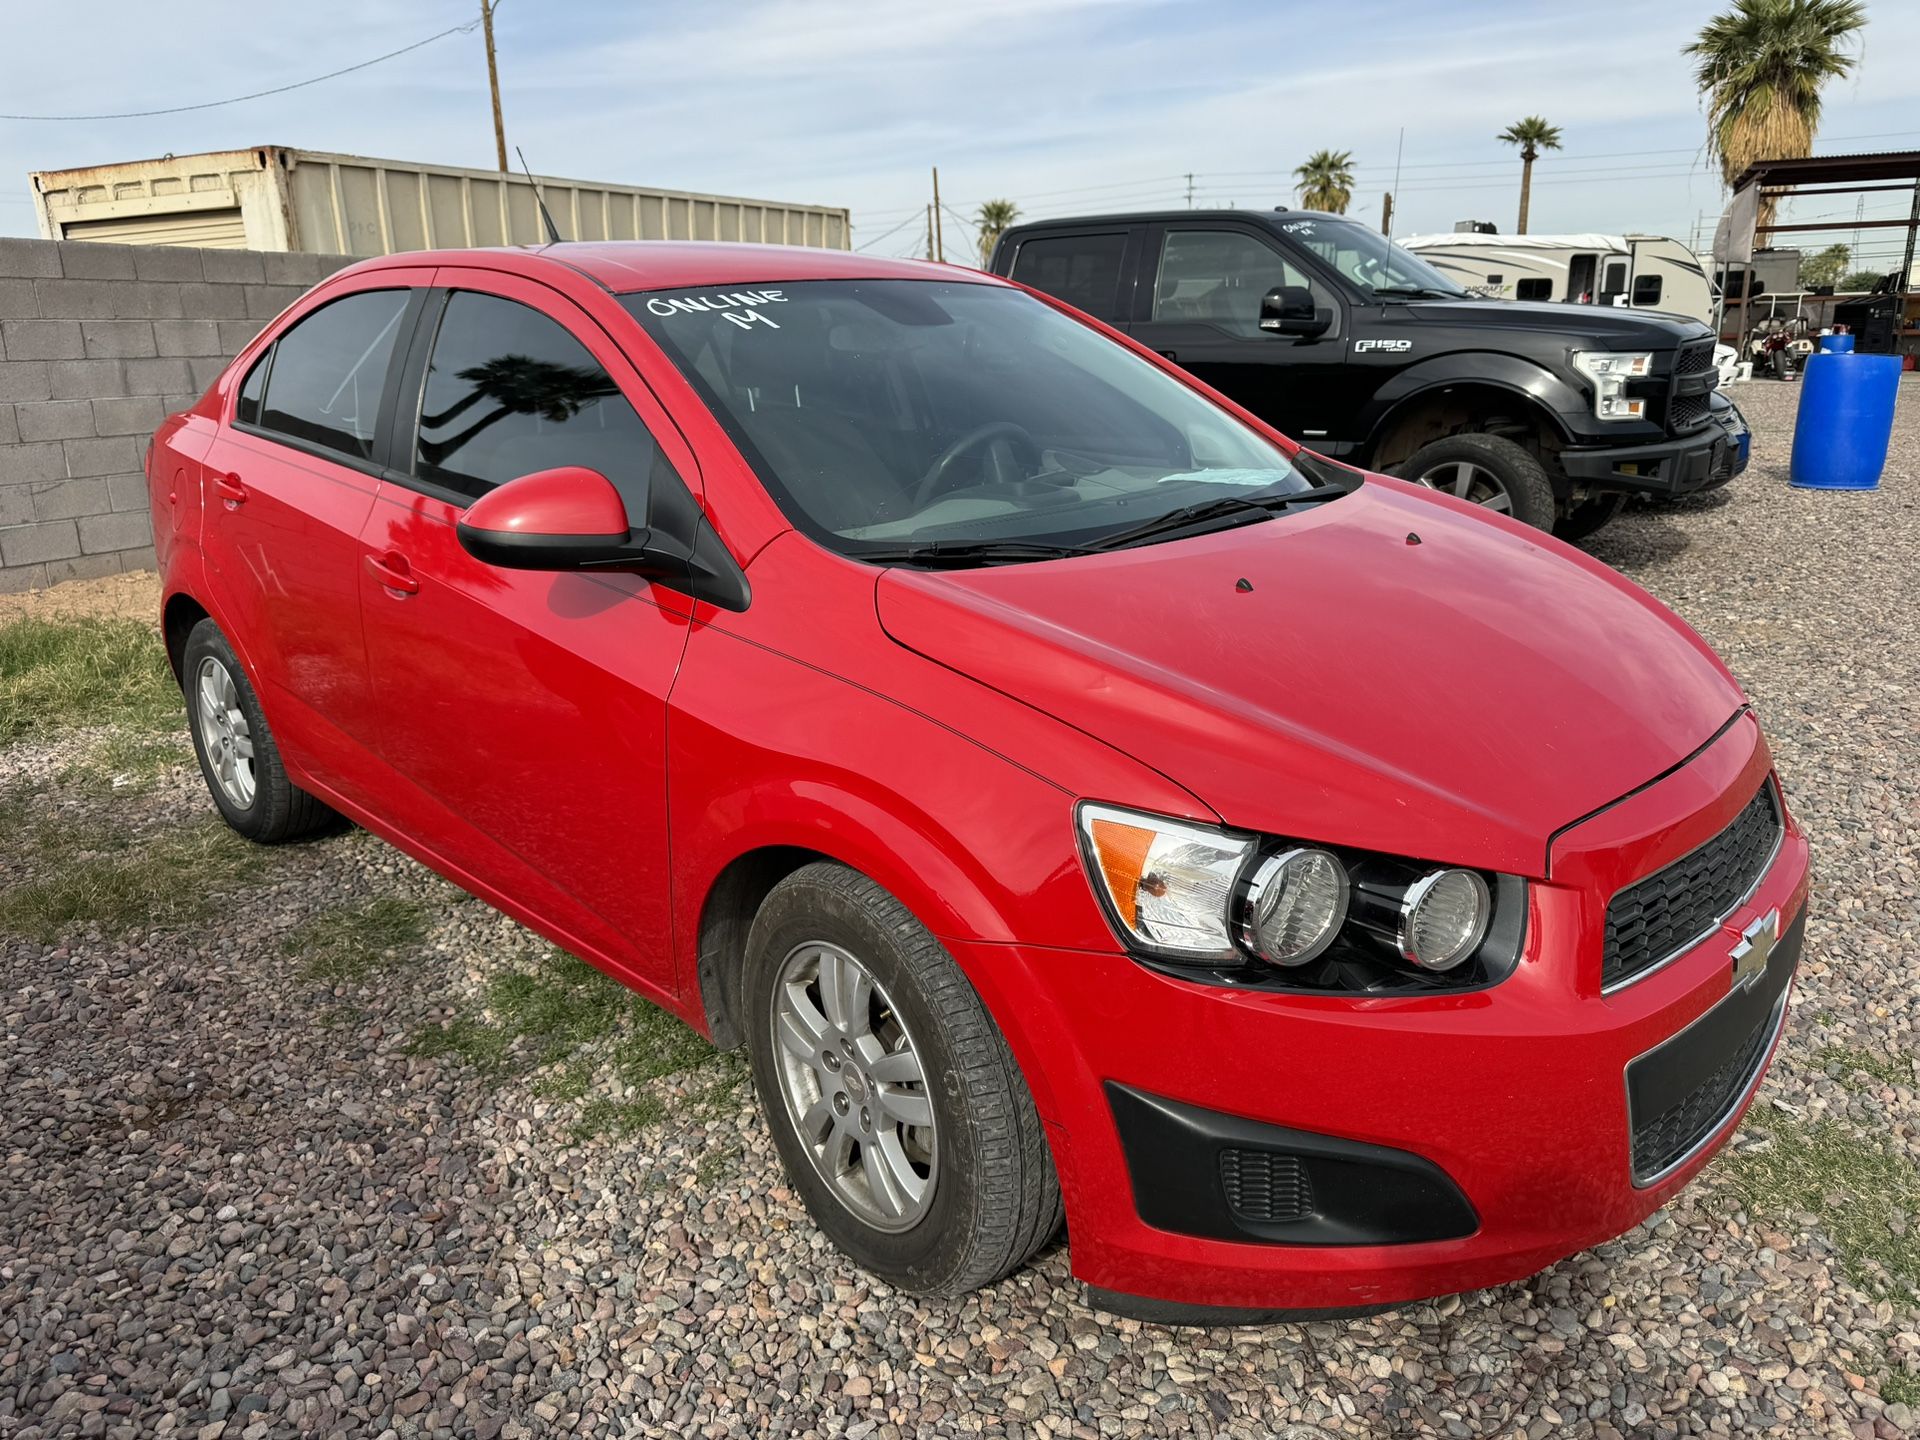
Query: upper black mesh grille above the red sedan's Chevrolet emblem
[1669, 911]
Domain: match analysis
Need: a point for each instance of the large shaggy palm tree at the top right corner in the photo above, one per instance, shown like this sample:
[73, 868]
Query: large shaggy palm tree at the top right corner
[1762, 68]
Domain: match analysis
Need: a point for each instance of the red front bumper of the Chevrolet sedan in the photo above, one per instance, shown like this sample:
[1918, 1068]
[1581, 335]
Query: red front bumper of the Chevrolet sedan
[1516, 1097]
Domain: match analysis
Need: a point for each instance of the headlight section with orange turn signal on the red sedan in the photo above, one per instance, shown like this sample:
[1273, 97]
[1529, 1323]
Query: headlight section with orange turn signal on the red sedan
[1166, 882]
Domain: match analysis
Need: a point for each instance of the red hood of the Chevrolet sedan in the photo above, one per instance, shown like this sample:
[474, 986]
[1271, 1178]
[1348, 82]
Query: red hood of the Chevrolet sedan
[1389, 671]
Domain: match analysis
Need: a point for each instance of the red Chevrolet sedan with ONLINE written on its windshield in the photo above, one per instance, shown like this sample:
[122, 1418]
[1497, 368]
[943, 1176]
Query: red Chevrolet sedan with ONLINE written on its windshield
[1078, 800]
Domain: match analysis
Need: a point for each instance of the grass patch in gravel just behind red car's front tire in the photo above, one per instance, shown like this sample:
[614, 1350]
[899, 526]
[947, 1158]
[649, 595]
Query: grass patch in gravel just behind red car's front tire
[569, 1020]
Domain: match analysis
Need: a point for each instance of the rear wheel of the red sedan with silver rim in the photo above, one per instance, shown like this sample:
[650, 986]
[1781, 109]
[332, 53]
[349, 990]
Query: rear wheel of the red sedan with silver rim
[237, 752]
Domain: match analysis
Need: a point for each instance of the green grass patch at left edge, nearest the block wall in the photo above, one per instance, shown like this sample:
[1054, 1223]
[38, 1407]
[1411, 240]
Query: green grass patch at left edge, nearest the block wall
[72, 673]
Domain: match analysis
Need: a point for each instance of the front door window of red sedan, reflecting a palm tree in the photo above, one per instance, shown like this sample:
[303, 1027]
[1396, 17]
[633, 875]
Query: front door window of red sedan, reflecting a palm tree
[512, 393]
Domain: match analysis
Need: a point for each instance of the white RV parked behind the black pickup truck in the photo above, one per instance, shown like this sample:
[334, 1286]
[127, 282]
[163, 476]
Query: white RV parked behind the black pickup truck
[1635, 272]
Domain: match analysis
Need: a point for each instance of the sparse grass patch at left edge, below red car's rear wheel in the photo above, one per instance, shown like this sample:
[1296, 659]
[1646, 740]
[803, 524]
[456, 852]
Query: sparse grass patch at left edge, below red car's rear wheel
[122, 882]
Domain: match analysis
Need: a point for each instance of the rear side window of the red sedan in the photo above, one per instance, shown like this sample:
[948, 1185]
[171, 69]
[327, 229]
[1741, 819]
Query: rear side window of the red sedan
[329, 373]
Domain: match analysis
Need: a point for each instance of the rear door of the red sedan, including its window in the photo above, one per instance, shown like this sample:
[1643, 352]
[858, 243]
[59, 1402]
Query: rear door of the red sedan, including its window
[289, 487]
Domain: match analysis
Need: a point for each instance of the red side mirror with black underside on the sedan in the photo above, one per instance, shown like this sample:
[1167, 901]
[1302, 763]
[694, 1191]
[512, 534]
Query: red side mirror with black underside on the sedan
[564, 519]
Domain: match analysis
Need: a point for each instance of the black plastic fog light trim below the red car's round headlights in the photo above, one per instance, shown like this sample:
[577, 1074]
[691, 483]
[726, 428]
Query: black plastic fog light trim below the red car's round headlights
[1362, 1193]
